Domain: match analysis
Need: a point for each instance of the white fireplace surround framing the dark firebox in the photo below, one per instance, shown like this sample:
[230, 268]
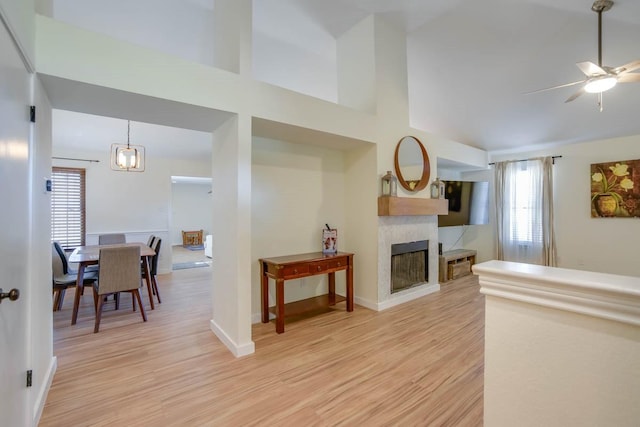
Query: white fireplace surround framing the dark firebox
[404, 229]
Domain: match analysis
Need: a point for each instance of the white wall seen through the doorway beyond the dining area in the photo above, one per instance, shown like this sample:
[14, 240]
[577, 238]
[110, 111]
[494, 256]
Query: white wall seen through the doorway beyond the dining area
[191, 207]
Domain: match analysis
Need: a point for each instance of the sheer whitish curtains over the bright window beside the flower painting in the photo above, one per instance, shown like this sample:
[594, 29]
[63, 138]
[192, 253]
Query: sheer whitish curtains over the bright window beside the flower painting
[524, 211]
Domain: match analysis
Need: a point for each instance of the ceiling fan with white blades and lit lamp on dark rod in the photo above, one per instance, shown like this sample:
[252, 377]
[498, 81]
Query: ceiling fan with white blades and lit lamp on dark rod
[600, 78]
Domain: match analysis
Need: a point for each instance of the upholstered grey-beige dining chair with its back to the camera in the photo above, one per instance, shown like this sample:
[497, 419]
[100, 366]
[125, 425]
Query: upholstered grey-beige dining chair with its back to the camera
[119, 272]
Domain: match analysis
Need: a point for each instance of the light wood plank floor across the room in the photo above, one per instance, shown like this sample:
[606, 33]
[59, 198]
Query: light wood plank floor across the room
[418, 364]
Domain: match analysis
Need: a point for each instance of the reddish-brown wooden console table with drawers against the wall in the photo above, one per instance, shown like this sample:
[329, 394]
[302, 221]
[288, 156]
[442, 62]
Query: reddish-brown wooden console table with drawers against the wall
[299, 266]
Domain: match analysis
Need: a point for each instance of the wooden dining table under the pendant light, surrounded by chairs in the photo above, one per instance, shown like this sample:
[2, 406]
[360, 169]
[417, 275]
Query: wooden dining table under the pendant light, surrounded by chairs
[85, 256]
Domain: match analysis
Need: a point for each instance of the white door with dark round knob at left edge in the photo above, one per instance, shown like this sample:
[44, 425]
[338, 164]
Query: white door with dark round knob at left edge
[14, 232]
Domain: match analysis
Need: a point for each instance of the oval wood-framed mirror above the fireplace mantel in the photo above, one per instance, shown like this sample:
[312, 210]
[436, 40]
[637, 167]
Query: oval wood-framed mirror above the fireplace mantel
[412, 164]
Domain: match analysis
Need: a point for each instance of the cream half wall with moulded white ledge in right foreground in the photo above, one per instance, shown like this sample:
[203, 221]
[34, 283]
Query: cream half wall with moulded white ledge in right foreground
[561, 346]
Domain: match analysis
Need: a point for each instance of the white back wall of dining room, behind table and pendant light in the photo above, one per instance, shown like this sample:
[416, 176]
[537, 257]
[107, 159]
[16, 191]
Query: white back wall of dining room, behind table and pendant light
[135, 203]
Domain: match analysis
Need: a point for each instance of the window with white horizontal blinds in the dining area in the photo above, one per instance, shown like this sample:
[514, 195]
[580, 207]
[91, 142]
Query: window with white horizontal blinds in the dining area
[68, 206]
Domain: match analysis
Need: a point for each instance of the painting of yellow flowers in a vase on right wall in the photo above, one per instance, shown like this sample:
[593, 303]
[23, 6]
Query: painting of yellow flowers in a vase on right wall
[615, 189]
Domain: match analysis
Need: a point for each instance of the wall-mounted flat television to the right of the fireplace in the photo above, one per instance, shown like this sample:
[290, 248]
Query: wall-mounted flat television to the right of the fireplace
[468, 203]
